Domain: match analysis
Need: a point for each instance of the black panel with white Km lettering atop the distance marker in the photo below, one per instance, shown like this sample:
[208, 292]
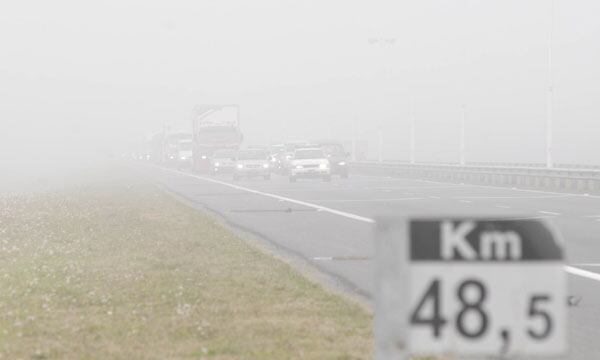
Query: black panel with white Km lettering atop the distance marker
[482, 240]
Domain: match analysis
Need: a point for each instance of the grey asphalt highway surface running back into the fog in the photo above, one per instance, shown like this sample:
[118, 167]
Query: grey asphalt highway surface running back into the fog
[330, 224]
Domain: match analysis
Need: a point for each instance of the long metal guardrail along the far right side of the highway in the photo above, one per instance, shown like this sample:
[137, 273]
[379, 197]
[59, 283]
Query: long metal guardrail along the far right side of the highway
[556, 179]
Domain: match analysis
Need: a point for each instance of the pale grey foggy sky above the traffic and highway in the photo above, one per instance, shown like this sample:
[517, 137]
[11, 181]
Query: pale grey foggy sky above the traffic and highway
[84, 78]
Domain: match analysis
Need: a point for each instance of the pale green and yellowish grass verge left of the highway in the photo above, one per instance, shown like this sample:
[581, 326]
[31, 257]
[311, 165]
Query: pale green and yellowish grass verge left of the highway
[116, 269]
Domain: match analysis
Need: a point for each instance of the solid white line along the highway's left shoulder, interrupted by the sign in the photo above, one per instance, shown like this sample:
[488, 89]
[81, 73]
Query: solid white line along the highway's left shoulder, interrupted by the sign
[569, 269]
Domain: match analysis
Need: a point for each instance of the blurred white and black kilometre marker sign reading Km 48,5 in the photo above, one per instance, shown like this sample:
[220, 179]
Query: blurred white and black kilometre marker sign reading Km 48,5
[469, 287]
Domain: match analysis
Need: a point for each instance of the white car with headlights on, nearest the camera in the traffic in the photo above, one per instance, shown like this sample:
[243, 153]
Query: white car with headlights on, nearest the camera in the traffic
[309, 163]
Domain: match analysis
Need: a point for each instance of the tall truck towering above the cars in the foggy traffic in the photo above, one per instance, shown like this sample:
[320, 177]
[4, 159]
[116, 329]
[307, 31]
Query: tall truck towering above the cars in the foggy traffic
[214, 127]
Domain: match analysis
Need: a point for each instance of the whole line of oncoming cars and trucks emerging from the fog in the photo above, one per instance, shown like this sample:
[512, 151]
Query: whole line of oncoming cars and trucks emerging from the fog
[214, 147]
